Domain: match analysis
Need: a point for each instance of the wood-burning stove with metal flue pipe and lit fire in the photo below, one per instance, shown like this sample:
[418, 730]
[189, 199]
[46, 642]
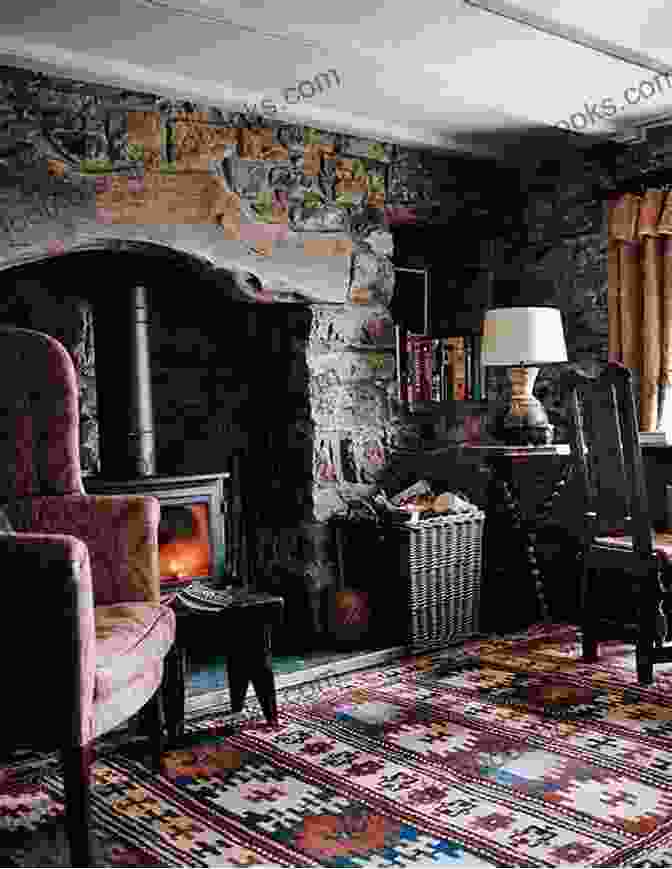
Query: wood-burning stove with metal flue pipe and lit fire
[192, 537]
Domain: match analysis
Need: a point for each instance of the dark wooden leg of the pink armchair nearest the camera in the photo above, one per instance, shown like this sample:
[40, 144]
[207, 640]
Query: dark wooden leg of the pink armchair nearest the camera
[76, 776]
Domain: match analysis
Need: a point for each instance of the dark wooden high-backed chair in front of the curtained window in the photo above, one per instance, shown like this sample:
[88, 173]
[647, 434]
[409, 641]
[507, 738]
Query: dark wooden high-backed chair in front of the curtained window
[625, 562]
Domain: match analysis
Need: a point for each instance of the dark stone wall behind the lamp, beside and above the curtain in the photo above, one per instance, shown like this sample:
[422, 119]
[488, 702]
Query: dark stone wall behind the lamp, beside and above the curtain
[563, 258]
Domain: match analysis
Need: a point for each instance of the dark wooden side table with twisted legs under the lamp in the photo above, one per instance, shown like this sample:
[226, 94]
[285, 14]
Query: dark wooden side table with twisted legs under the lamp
[505, 516]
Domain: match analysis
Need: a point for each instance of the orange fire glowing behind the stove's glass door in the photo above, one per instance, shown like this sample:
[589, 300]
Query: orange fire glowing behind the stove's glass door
[184, 542]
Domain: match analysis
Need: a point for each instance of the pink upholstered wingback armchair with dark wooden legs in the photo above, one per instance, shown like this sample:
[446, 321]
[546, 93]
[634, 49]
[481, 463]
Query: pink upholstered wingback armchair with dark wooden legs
[84, 636]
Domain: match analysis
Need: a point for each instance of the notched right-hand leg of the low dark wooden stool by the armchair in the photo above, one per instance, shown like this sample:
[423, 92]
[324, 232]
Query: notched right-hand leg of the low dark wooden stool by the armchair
[253, 663]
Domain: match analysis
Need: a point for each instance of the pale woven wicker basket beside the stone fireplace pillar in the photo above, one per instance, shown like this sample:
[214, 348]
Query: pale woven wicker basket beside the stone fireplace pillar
[441, 562]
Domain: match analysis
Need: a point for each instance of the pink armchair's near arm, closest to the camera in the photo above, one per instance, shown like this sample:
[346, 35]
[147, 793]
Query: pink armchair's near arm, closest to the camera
[48, 640]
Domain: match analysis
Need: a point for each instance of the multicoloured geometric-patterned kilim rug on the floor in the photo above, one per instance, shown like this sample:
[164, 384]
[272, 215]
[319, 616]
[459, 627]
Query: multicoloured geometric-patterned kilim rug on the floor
[502, 752]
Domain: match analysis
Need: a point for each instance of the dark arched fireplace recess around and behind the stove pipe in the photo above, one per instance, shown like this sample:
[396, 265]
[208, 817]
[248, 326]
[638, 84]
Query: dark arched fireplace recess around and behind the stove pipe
[229, 381]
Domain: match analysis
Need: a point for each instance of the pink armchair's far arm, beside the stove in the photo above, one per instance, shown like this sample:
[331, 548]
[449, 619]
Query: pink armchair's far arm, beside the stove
[121, 534]
